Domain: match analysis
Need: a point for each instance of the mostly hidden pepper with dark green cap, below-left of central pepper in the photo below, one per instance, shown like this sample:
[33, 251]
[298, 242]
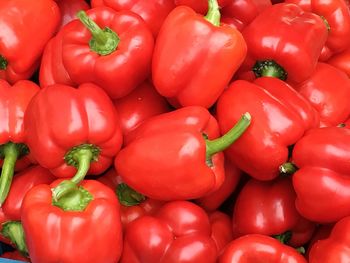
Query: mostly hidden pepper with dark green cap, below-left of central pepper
[132, 204]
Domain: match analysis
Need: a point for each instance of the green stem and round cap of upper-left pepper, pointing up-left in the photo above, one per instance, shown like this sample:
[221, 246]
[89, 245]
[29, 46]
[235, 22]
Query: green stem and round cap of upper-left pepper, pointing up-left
[104, 41]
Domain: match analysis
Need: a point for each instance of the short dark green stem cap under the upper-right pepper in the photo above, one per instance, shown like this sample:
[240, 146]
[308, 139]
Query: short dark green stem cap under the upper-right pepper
[269, 68]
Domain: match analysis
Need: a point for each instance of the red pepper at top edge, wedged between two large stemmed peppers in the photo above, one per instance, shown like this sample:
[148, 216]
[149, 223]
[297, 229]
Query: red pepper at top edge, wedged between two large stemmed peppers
[153, 12]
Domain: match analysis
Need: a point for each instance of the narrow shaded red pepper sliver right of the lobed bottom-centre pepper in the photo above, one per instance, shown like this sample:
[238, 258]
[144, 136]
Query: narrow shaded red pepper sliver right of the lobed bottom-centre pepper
[221, 229]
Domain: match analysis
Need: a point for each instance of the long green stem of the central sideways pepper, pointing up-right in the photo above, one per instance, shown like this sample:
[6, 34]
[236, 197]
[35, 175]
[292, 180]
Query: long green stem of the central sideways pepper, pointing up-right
[223, 142]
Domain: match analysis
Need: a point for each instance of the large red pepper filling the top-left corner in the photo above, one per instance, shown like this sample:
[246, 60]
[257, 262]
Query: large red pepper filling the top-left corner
[20, 51]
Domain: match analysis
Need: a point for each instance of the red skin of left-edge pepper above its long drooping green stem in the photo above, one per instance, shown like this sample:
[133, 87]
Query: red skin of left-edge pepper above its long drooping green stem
[13, 104]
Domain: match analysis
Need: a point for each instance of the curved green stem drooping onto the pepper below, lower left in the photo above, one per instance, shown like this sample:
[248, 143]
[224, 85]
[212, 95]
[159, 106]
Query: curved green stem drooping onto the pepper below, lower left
[80, 156]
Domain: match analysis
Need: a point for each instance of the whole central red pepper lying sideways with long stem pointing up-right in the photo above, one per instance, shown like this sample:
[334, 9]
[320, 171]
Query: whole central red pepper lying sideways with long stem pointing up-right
[185, 167]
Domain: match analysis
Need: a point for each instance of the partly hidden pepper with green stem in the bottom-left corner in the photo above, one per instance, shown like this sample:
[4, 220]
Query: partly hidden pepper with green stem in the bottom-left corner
[10, 212]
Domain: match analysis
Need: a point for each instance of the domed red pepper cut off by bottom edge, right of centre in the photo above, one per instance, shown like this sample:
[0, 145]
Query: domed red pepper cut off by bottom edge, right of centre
[259, 248]
